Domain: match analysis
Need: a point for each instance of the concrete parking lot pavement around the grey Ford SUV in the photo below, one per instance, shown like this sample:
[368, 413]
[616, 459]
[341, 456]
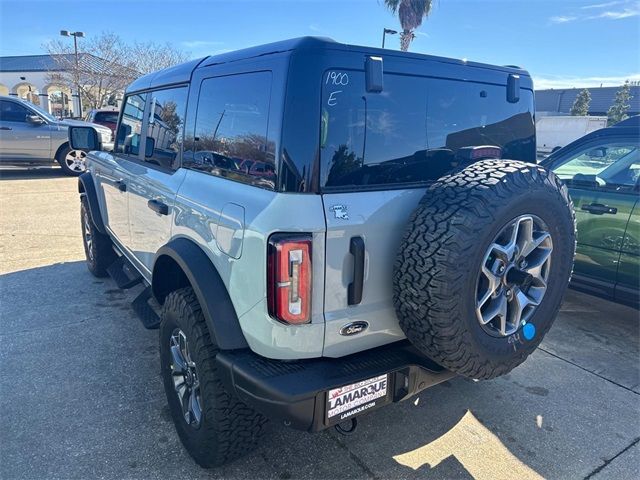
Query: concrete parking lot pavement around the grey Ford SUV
[81, 395]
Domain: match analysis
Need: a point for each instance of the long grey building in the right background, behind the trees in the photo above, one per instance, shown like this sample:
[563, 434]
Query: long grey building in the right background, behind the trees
[559, 101]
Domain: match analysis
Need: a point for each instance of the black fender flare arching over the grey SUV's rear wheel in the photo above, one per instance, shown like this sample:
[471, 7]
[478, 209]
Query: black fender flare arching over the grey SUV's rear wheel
[210, 291]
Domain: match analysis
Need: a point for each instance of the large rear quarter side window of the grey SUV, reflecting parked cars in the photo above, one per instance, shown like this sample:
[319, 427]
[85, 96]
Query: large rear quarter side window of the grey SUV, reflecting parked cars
[230, 137]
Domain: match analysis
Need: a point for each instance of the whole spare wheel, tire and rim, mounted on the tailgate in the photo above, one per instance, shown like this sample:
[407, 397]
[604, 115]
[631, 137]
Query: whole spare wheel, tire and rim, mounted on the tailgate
[458, 228]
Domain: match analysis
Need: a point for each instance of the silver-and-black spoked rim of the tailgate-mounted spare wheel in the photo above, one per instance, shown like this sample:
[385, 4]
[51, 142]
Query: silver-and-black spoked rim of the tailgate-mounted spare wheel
[513, 276]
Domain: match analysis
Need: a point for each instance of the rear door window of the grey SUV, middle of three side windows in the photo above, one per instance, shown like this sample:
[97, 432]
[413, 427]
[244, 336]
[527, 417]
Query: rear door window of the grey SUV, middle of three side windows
[165, 127]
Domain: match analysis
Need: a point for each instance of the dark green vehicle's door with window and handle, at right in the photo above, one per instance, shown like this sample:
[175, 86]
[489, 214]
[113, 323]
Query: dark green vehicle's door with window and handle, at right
[601, 175]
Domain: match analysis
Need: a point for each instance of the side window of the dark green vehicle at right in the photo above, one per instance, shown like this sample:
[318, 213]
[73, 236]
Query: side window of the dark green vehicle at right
[612, 166]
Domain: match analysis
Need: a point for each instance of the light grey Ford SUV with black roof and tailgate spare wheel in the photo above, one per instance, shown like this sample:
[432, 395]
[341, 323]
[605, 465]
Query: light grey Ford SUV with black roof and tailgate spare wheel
[386, 251]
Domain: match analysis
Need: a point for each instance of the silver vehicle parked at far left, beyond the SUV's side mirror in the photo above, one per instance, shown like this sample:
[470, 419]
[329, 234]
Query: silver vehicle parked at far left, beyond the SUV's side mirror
[32, 136]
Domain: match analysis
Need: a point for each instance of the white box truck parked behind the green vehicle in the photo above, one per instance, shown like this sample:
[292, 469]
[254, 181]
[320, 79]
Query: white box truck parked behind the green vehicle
[554, 132]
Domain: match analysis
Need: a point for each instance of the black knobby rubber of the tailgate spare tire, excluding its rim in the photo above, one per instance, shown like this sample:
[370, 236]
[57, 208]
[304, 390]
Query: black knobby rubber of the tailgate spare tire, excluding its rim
[429, 267]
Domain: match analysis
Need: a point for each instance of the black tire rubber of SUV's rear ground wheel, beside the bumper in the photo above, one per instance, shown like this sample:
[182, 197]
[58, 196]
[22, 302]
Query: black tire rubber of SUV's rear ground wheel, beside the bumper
[235, 428]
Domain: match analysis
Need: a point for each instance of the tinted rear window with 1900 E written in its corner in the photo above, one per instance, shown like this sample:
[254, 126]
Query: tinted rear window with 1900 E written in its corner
[411, 132]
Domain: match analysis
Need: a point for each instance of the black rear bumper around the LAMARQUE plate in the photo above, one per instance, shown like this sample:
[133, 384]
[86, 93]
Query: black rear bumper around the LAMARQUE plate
[295, 392]
